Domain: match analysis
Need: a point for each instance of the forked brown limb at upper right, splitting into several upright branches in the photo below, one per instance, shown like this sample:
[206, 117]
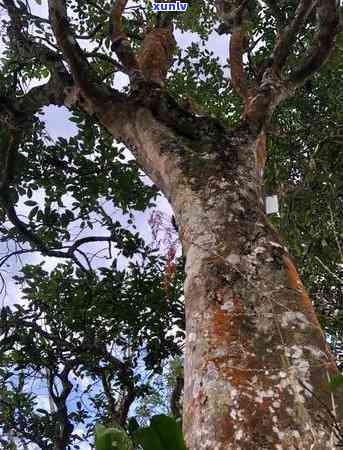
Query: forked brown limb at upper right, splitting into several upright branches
[271, 87]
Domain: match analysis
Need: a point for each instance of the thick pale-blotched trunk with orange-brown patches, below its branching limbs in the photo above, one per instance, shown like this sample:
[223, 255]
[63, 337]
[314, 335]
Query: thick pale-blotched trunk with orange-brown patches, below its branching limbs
[257, 365]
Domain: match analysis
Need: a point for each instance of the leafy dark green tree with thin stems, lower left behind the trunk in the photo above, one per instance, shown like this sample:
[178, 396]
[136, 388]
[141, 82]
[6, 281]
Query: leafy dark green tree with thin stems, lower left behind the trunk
[94, 344]
